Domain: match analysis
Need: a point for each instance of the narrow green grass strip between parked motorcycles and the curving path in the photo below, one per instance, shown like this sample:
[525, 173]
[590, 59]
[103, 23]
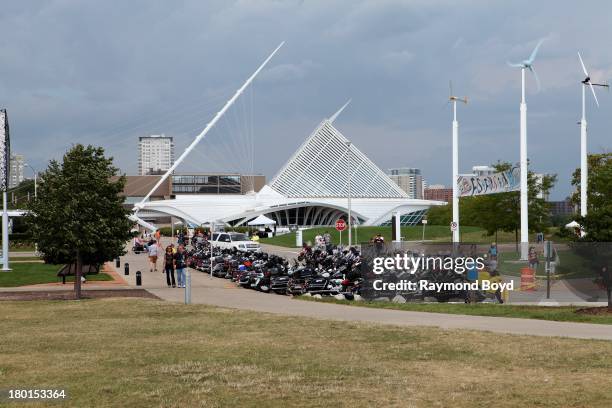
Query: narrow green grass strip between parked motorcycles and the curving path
[560, 314]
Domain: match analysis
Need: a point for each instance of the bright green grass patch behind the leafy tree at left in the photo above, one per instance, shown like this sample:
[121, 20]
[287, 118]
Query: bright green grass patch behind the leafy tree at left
[35, 272]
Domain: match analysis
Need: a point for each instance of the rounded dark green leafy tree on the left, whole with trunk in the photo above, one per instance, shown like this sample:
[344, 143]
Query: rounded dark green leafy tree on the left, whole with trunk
[79, 216]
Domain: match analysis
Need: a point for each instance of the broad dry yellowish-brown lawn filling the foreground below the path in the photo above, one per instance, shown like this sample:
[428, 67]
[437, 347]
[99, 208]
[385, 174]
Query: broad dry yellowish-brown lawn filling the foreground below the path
[144, 353]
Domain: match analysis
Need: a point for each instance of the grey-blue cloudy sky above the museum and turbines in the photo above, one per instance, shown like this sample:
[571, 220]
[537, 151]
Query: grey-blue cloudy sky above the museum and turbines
[107, 72]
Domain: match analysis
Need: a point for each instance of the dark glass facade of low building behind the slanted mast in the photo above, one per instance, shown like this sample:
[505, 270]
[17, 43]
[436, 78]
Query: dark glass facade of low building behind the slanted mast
[206, 184]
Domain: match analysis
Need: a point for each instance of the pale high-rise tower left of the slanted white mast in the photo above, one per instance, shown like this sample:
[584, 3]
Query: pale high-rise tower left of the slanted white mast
[156, 154]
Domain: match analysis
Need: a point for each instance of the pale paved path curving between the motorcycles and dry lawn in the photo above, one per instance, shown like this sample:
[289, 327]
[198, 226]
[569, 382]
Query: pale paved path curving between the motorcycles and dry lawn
[221, 292]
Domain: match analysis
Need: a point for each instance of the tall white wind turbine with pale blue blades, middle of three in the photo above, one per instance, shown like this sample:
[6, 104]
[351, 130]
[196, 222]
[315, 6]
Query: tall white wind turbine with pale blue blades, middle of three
[526, 64]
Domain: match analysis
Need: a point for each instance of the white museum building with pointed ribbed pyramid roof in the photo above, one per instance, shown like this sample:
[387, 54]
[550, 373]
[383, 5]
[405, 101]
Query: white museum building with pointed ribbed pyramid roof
[311, 189]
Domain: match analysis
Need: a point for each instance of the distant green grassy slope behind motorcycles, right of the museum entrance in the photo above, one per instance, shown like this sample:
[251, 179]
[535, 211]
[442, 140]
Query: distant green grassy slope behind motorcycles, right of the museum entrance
[411, 233]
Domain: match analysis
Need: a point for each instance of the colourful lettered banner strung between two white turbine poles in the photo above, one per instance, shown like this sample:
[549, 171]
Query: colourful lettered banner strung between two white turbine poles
[502, 182]
